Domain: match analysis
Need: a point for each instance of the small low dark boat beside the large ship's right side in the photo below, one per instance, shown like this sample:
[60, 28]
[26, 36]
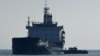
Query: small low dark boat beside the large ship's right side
[74, 50]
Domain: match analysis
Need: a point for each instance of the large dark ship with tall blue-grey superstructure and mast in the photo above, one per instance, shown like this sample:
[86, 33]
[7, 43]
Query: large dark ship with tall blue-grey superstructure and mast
[43, 38]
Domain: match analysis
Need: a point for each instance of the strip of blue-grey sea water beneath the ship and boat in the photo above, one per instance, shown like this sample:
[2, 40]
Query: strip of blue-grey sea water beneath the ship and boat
[91, 53]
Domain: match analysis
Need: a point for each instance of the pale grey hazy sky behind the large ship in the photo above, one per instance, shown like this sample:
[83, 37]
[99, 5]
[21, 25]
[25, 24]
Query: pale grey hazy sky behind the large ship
[80, 18]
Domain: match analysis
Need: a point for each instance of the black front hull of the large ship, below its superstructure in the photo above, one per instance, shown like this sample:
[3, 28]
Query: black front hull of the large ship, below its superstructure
[27, 46]
